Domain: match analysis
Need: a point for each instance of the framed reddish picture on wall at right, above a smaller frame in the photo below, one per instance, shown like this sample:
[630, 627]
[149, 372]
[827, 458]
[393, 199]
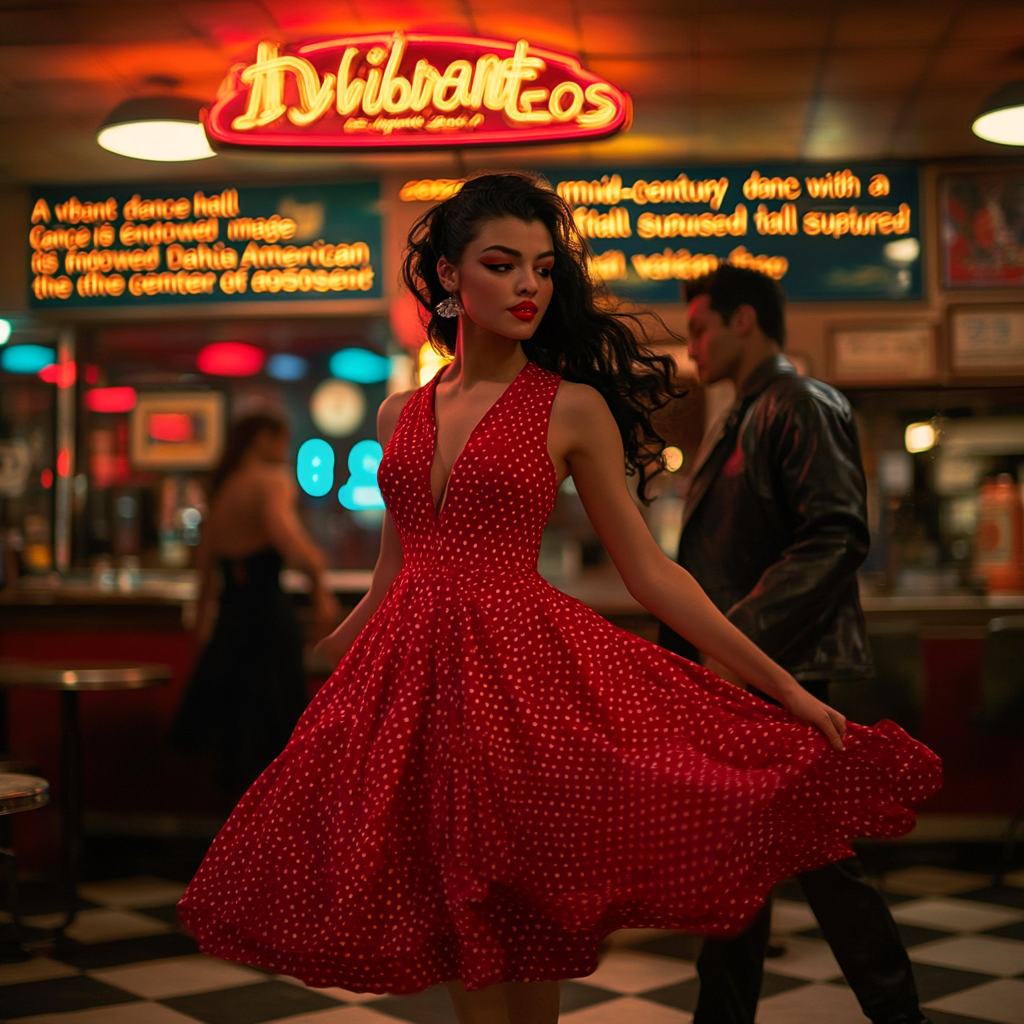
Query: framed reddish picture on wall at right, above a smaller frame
[984, 229]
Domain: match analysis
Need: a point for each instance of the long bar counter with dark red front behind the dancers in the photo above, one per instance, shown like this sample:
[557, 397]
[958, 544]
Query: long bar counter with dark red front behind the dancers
[136, 783]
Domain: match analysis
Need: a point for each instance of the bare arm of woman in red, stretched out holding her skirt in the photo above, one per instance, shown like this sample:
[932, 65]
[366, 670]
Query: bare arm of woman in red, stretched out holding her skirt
[589, 446]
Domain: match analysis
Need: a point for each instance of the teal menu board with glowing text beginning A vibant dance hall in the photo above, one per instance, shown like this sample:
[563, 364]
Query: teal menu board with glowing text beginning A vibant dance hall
[182, 245]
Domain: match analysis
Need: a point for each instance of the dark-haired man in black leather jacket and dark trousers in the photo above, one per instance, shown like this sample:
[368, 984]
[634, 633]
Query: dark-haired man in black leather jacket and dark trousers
[775, 530]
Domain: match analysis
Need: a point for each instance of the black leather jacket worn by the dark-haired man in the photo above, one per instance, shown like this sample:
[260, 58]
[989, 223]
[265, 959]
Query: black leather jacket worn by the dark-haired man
[776, 527]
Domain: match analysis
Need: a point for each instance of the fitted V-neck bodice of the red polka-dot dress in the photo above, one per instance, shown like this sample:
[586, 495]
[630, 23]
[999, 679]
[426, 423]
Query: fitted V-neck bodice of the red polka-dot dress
[501, 490]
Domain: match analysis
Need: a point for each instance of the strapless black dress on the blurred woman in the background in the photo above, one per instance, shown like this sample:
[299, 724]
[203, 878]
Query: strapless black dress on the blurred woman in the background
[248, 690]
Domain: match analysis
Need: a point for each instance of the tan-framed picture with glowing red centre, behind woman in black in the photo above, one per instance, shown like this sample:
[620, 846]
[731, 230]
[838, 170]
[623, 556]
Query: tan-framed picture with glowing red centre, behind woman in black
[178, 431]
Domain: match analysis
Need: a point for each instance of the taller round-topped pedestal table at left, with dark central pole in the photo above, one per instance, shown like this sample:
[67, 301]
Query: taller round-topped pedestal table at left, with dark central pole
[71, 678]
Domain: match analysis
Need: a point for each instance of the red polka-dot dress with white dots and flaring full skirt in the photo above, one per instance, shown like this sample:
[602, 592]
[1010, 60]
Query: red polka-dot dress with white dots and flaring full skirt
[495, 778]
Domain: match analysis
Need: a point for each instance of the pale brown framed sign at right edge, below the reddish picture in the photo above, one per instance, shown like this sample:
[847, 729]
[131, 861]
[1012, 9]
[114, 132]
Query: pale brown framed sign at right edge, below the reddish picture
[987, 342]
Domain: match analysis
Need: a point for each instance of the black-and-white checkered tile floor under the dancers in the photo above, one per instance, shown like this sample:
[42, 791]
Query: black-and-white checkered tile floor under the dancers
[135, 966]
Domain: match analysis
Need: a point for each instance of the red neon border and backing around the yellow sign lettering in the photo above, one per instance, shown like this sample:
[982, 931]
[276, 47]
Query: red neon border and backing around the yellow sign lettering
[232, 102]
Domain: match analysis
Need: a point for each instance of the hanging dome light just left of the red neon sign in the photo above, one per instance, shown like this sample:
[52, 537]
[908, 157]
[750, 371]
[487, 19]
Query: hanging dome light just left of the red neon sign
[161, 129]
